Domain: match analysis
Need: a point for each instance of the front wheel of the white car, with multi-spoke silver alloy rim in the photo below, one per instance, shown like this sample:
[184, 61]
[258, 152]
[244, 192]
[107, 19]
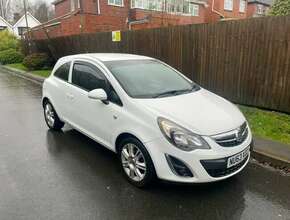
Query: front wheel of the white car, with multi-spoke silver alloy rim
[136, 163]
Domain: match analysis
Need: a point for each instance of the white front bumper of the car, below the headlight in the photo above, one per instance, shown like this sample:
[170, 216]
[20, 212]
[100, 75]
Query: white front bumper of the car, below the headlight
[205, 165]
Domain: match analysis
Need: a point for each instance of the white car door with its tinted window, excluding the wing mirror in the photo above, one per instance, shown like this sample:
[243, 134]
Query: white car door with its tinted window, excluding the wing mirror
[93, 117]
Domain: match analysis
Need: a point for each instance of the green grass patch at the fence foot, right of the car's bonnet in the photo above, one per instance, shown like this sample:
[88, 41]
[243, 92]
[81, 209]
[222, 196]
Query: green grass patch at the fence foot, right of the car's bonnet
[268, 124]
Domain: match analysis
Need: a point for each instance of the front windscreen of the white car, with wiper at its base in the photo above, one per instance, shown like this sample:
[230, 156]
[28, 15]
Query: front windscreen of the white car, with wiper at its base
[149, 78]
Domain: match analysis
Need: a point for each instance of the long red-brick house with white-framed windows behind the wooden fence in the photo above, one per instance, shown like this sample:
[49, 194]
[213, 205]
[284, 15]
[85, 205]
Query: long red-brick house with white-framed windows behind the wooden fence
[90, 16]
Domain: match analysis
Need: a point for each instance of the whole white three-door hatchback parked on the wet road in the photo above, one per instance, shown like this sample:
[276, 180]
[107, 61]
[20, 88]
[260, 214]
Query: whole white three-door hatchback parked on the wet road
[160, 123]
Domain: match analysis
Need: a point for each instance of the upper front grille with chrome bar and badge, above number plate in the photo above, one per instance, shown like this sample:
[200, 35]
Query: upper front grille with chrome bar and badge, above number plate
[232, 138]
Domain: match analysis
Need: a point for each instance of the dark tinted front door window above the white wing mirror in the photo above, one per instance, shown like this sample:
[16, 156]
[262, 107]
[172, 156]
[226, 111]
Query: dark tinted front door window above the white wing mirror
[88, 77]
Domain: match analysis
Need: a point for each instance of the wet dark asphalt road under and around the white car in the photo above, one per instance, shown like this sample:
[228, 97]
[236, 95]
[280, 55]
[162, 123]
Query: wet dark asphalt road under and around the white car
[48, 175]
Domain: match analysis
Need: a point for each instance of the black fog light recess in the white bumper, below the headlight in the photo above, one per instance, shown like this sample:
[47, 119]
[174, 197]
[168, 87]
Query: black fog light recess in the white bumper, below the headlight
[178, 167]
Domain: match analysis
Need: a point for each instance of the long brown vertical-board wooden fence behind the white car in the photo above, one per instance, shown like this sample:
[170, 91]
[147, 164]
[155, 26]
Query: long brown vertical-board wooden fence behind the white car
[246, 61]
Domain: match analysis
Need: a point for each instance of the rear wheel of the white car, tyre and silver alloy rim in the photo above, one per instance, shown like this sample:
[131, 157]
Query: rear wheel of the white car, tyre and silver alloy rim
[51, 118]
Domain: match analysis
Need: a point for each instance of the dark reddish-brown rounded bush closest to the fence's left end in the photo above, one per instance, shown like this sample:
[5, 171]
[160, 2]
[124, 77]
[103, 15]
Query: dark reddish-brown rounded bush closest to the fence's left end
[37, 61]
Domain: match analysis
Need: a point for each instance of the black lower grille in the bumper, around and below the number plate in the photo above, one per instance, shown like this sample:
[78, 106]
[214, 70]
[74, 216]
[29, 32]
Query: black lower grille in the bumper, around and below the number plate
[217, 168]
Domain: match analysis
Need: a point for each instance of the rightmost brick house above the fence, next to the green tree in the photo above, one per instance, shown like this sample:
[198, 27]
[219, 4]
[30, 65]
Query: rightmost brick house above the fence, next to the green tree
[258, 8]
